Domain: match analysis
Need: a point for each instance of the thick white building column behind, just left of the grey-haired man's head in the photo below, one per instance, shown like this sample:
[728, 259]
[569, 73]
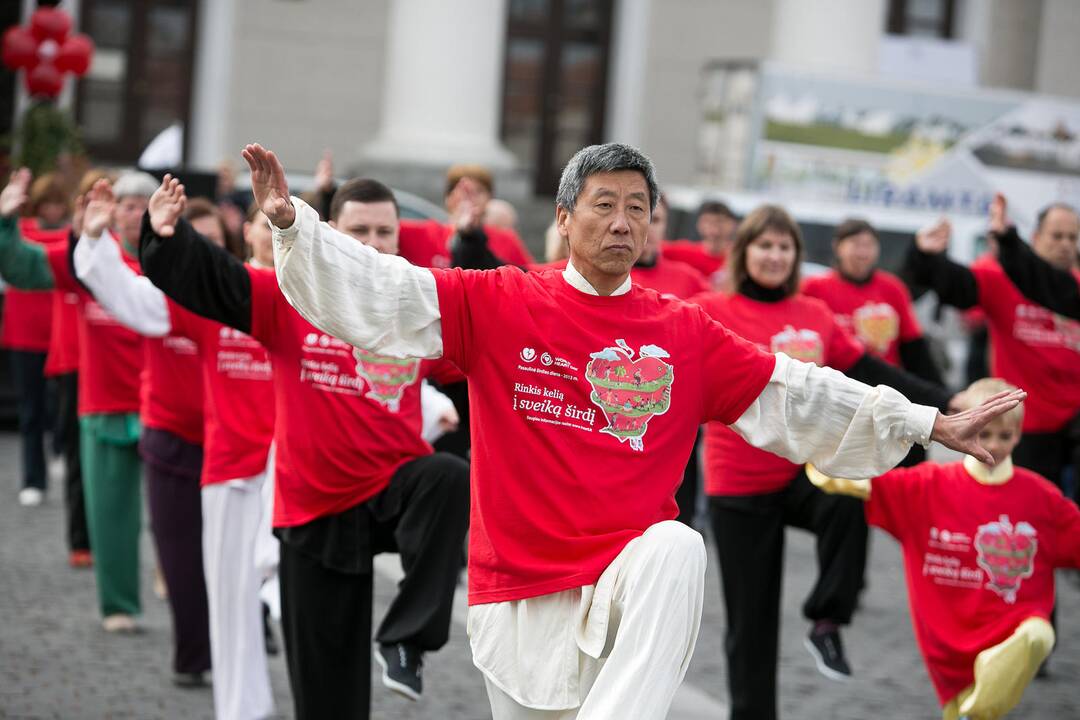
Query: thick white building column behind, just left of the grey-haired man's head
[442, 98]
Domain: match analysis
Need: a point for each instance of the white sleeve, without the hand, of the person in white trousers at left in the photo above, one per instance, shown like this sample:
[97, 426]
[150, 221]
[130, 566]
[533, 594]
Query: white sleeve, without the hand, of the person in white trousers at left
[129, 297]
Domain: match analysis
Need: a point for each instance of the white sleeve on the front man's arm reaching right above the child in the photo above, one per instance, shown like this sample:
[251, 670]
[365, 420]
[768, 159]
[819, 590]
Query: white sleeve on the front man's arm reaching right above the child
[846, 429]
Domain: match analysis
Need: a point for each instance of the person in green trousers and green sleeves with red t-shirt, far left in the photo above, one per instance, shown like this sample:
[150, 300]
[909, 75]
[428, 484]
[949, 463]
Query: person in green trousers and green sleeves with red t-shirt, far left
[111, 361]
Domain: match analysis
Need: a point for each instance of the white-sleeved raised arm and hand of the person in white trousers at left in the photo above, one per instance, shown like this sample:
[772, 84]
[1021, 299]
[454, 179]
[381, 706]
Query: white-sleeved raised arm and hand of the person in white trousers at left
[130, 298]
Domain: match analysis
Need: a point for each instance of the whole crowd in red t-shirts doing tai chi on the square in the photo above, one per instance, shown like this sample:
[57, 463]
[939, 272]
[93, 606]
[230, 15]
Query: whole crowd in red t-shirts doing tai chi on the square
[305, 384]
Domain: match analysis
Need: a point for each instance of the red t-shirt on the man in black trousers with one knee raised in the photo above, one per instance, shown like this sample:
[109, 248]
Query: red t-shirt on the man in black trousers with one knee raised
[343, 427]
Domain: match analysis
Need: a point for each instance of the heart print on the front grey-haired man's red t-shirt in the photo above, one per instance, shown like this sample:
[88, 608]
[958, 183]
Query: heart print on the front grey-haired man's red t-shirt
[630, 392]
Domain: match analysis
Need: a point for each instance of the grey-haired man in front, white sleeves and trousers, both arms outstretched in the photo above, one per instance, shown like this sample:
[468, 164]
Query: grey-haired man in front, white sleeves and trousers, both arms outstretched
[584, 592]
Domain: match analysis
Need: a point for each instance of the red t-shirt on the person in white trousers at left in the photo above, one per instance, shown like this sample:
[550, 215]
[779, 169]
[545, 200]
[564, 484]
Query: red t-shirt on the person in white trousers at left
[238, 377]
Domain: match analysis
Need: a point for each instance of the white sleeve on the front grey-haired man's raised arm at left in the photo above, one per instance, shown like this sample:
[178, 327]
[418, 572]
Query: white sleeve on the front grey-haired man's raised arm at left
[379, 303]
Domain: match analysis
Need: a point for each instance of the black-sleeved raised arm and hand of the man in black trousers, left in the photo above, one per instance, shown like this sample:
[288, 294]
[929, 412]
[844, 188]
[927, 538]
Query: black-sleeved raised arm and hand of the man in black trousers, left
[188, 268]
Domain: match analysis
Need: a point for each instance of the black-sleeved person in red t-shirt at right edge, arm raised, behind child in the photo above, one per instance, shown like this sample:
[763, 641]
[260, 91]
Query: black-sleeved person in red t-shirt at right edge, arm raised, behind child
[1032, 347]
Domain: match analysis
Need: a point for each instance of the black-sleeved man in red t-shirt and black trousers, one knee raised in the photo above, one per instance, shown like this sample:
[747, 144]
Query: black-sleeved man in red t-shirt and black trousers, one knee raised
[354, 478]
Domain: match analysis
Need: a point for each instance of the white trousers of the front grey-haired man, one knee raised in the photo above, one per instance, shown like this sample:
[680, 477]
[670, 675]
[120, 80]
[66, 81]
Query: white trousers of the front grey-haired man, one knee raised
[647, 607]
